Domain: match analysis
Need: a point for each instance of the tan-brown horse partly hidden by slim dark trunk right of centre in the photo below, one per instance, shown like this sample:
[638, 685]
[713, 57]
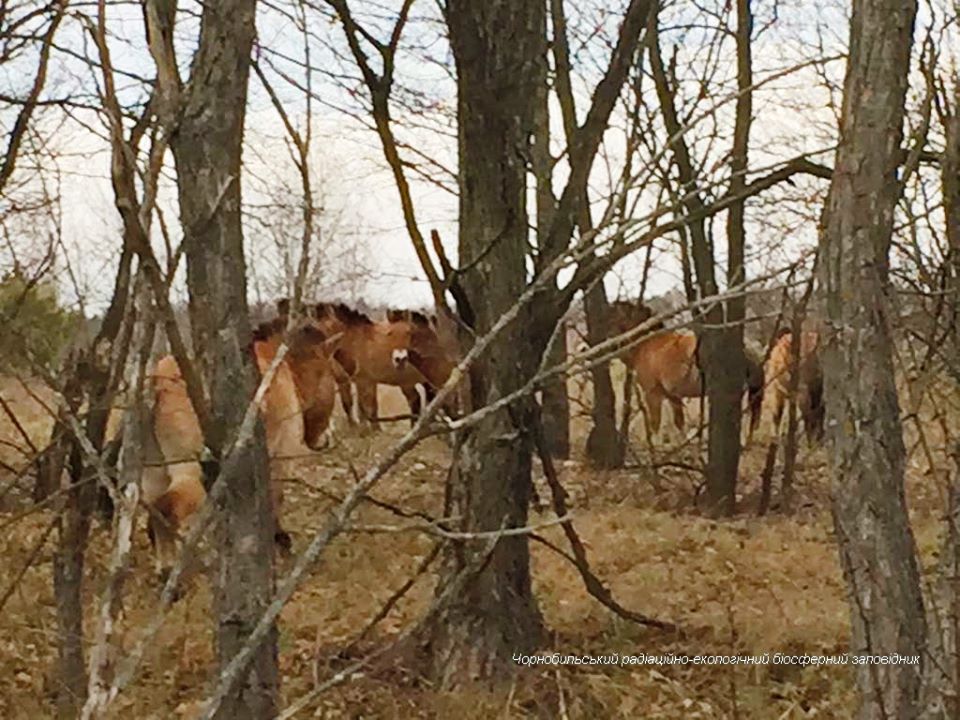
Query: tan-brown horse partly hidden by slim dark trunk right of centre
[666, 366]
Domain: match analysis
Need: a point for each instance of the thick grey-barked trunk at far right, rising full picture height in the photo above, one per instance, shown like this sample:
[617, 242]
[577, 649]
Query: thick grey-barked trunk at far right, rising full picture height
[877, 549]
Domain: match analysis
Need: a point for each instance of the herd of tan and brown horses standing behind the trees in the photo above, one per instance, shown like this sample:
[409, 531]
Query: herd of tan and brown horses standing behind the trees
[335, 349]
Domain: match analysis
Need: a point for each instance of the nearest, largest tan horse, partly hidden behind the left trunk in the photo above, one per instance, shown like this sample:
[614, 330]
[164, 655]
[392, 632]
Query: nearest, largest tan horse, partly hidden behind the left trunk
[295, 409]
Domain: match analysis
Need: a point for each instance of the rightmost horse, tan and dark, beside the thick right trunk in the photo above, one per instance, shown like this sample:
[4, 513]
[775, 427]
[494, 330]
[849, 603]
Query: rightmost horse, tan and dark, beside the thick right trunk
[778, 376]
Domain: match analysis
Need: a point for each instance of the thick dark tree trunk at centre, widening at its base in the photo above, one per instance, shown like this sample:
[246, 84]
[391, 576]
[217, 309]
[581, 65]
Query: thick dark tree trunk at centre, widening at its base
[495, 45]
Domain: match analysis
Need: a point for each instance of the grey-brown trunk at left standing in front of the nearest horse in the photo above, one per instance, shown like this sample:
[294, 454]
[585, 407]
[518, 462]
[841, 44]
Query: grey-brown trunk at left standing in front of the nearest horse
[207, 150]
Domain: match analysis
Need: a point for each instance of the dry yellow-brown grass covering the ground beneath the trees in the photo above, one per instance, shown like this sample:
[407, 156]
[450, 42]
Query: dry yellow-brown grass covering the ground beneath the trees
[745, 586]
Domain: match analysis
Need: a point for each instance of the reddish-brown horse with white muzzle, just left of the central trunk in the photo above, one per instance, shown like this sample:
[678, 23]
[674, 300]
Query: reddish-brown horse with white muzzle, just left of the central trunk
[403, 351]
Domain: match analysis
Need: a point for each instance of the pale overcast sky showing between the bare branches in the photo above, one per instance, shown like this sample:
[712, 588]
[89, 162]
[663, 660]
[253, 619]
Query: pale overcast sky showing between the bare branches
[364, 251]
